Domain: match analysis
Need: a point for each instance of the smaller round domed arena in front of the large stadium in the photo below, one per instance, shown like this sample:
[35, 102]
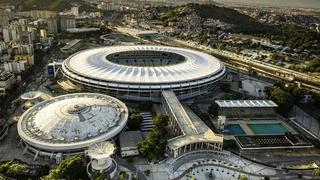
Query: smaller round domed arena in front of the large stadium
[72, 122]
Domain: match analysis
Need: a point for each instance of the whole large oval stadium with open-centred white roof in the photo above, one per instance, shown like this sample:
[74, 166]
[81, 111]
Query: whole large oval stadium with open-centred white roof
[142, 72]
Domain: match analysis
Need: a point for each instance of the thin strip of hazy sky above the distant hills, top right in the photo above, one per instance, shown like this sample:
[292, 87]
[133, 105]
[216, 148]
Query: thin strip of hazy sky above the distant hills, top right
[277, 3]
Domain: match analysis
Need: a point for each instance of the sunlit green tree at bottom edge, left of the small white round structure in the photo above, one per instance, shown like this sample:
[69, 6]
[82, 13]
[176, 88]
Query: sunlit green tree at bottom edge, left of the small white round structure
[71, 168]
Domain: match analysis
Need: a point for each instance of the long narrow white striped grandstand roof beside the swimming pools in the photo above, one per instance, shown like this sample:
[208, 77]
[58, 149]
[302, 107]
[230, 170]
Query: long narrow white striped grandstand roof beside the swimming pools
[246, 103]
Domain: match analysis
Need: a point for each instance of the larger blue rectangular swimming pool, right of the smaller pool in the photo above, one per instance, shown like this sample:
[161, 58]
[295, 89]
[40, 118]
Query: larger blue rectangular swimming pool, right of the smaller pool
[268, 128]
